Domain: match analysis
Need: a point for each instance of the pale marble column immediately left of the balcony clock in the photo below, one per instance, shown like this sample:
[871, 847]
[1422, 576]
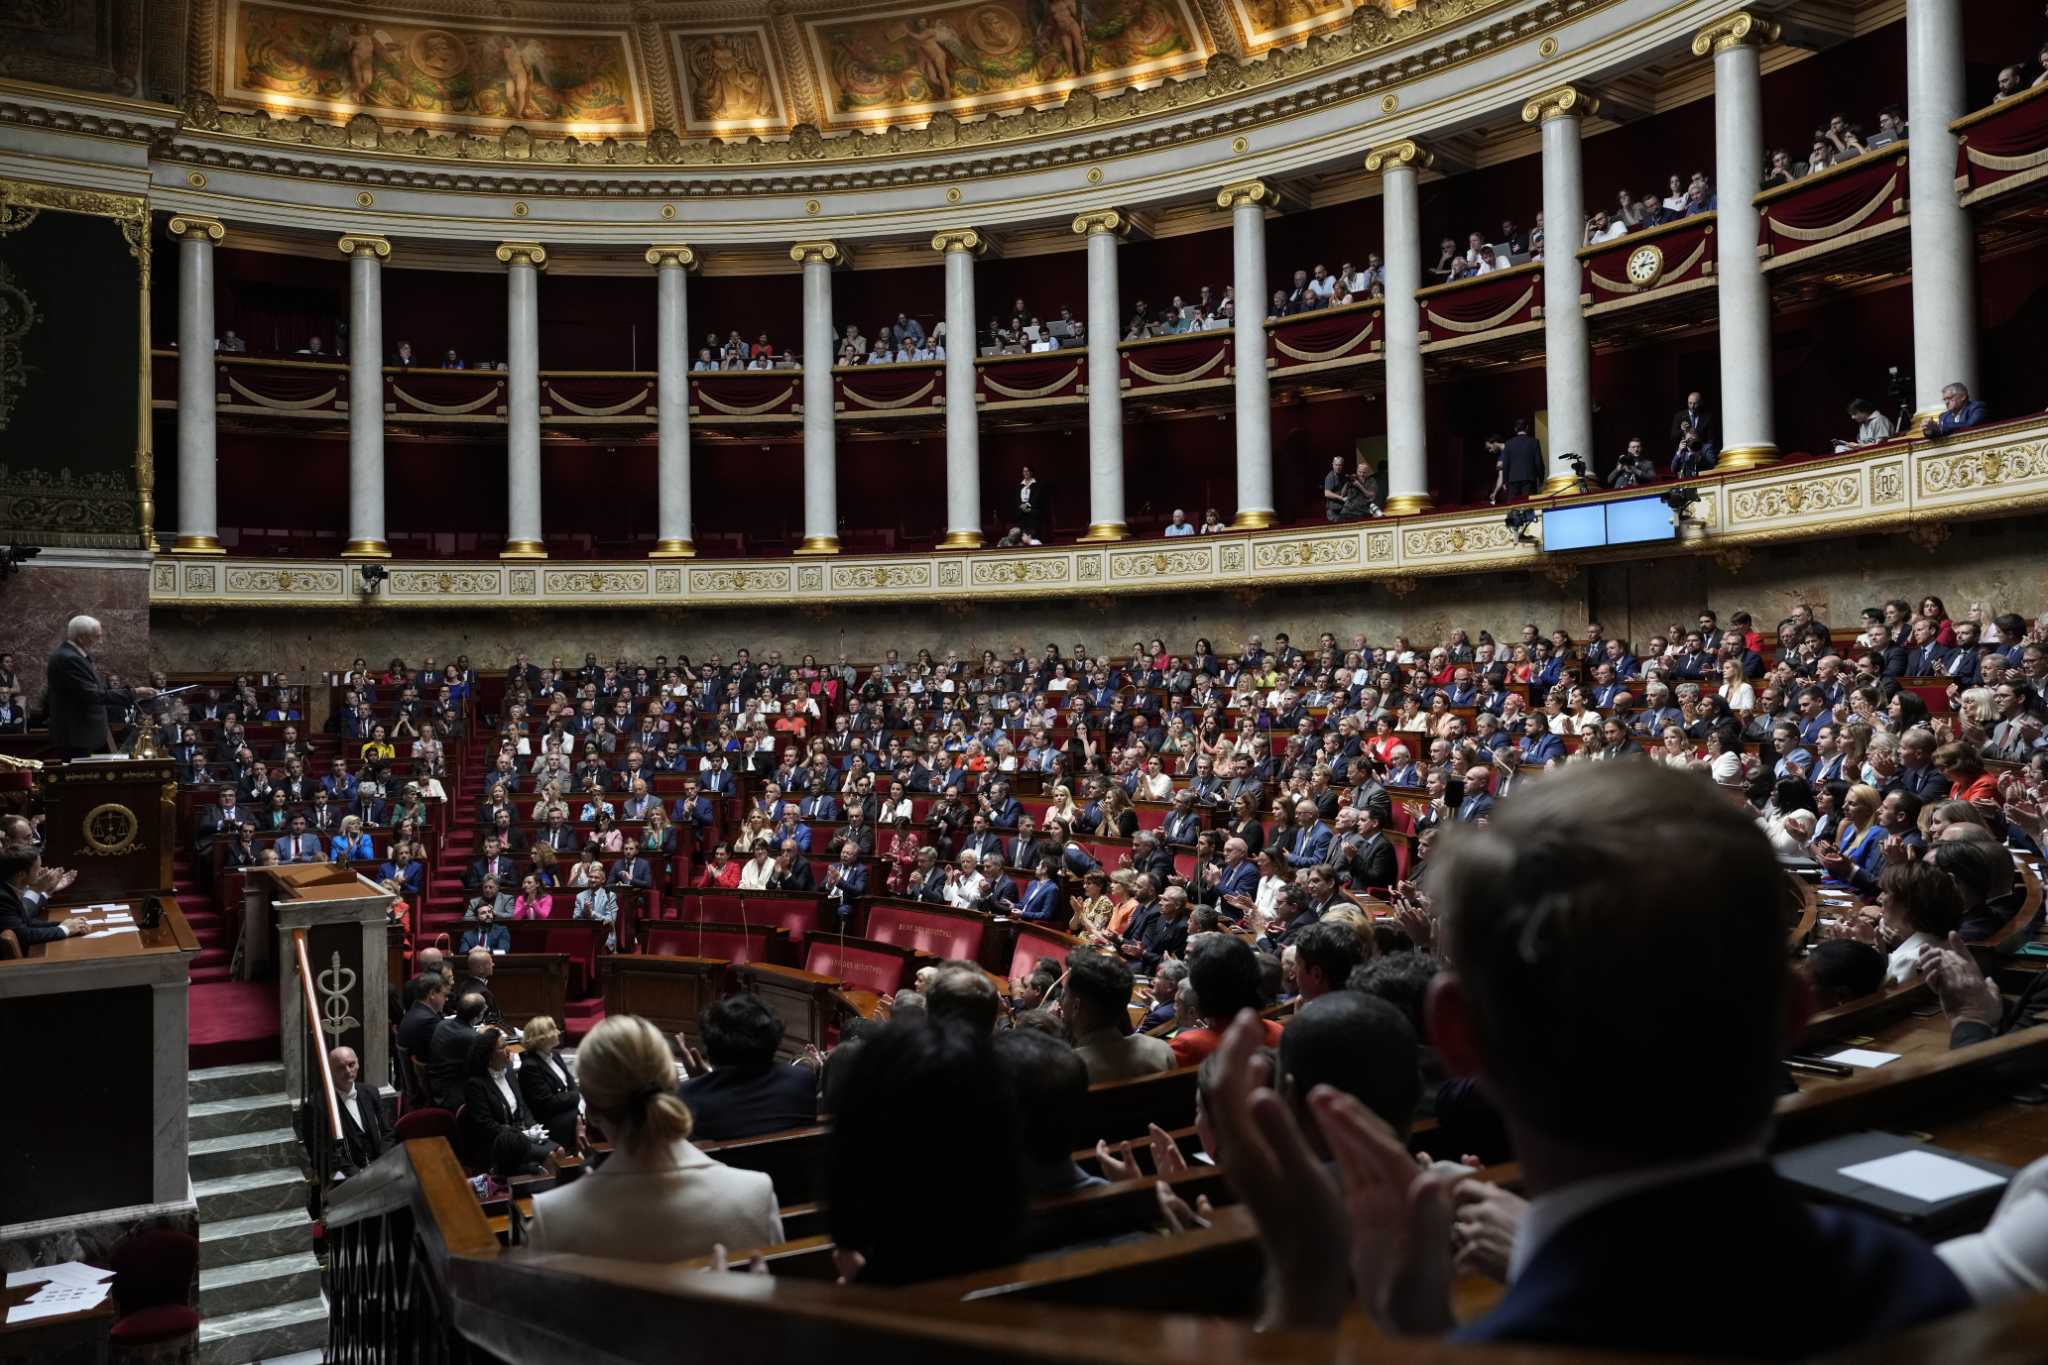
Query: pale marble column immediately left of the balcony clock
[1568, 357]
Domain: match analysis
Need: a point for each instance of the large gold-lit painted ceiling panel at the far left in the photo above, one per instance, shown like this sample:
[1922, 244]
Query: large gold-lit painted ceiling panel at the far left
[335, 60]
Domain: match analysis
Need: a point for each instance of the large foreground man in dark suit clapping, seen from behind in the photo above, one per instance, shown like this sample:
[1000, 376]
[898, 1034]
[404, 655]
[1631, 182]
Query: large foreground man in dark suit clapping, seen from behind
[1605, 877]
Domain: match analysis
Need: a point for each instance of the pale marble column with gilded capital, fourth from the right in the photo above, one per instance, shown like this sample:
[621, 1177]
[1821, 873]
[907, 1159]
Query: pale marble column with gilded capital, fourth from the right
[1408, 439]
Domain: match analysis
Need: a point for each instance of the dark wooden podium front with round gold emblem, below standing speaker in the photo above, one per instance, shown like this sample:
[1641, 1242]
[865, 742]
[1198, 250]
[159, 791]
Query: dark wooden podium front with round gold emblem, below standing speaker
[116, 822]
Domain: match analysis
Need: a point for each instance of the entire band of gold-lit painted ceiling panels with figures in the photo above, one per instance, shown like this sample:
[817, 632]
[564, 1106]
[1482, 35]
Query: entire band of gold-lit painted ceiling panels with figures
[732, 71]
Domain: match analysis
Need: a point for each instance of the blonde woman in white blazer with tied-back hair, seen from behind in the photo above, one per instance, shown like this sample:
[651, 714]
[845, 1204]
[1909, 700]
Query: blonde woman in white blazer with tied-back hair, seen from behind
[656, 1198]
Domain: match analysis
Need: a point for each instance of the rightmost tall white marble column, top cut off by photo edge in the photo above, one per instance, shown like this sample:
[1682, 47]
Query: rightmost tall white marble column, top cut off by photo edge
[1945, 247]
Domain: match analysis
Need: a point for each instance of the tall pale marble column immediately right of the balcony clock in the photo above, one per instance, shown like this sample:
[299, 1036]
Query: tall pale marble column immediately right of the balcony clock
[1748, 431]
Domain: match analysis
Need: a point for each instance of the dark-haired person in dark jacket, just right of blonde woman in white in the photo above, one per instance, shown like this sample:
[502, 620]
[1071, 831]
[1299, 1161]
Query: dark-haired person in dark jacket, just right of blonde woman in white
[744, 1092]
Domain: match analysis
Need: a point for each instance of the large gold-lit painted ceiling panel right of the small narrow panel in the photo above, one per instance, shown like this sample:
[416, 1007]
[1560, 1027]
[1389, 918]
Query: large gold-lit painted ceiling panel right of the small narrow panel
[996, 54]
